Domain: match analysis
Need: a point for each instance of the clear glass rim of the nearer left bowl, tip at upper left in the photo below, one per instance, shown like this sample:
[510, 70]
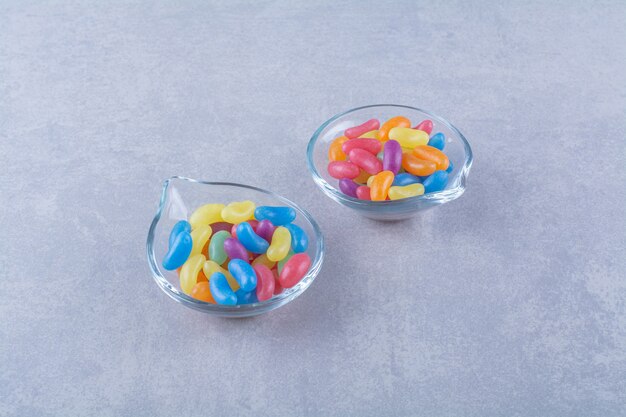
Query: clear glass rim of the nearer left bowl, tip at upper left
[276, 301]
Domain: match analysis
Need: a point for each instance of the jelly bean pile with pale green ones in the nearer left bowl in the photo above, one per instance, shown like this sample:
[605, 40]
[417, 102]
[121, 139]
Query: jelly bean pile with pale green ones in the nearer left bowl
[238, 253]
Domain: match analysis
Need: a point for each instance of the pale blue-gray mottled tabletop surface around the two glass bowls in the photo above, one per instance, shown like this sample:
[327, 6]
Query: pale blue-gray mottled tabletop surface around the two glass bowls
[507, 302]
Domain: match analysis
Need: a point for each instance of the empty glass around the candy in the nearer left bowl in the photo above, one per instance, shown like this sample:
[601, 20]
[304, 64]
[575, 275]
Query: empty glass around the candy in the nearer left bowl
[180, 196]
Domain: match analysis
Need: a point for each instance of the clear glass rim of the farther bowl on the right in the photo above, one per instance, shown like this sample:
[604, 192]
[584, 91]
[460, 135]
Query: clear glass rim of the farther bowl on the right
[446, 195]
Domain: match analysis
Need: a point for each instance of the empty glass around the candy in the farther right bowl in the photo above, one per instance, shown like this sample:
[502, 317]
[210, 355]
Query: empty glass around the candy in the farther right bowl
[457, 149]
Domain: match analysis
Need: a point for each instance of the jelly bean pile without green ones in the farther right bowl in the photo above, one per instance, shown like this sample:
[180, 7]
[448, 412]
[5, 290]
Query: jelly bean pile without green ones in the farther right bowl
[389, 162]
